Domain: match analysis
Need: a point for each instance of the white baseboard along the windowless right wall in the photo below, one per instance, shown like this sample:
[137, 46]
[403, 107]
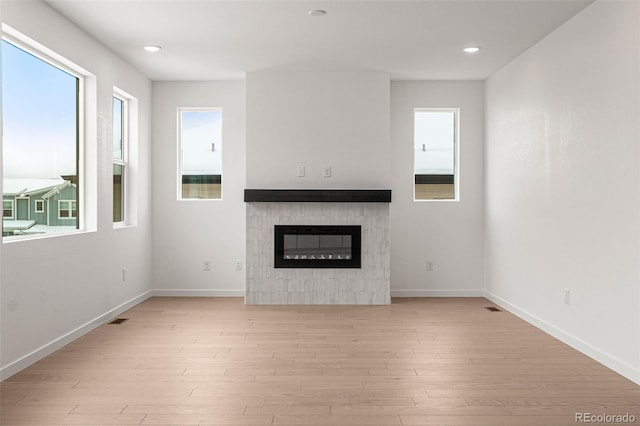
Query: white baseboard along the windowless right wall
[620, 367]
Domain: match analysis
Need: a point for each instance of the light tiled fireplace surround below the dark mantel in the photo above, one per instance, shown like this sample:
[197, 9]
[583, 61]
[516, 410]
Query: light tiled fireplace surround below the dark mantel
[366, 286]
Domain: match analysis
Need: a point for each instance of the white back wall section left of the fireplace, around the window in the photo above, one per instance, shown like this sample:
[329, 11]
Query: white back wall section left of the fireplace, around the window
[188, 232]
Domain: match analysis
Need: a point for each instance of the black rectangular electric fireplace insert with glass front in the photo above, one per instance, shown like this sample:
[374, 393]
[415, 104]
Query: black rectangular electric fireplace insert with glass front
[317, 246]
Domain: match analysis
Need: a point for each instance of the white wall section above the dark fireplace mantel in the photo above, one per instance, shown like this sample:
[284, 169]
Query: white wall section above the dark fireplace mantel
[318, 119]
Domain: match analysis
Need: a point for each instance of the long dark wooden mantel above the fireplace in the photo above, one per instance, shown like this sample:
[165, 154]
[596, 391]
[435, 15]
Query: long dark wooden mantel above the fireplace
[318, 195]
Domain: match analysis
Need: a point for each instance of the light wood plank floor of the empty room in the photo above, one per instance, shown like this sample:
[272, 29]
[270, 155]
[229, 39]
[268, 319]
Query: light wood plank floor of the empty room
[185, 361]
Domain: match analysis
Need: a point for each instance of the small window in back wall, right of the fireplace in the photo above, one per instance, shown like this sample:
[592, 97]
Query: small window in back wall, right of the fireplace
[435, 154]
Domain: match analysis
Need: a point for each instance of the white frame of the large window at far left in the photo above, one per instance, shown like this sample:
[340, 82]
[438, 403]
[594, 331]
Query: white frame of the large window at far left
[85, 93]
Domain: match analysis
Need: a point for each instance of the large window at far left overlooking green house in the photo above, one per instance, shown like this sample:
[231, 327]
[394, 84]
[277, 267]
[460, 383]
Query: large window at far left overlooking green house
[41, 155]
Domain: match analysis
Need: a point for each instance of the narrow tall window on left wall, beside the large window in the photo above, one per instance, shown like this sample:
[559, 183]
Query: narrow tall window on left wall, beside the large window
[120, 139]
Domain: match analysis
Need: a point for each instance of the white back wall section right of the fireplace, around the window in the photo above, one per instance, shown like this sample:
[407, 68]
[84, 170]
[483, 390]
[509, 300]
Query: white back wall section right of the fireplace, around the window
[448, 233]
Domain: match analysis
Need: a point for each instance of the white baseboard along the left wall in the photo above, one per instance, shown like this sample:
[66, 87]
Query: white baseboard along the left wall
[22, 363]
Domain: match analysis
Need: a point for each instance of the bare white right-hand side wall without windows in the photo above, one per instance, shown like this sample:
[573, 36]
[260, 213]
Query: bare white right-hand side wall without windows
[562, 179]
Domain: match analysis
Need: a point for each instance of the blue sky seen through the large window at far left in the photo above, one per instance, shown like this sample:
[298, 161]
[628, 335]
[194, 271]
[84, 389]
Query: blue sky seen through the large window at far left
[39, 112]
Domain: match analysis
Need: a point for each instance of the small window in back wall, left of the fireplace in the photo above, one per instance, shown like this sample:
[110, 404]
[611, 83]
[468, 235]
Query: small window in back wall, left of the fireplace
[200, 153]
